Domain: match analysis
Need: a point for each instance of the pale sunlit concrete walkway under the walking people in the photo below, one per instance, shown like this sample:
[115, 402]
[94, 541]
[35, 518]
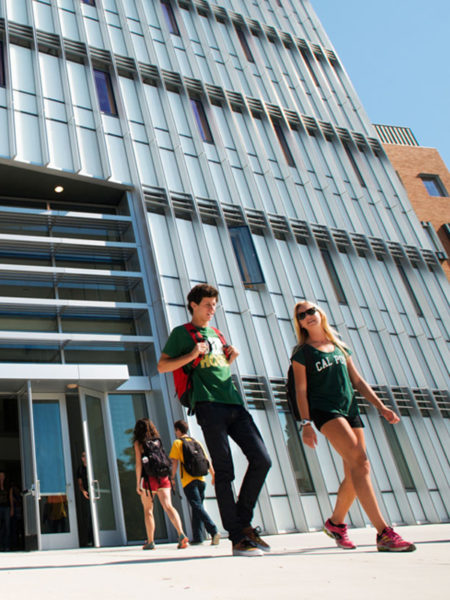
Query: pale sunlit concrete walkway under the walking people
[306, 566]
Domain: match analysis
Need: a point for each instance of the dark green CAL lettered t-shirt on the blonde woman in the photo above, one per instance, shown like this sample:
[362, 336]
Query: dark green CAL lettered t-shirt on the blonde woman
[329, 387]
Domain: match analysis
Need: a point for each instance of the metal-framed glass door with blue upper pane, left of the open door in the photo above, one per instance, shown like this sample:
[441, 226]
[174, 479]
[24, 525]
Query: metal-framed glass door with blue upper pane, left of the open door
[54, 488]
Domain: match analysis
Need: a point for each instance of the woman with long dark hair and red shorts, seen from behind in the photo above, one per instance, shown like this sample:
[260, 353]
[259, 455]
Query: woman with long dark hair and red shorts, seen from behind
[146, 430]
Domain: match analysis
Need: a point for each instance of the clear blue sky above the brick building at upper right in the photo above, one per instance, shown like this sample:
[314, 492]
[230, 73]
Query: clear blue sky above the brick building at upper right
[397, 54]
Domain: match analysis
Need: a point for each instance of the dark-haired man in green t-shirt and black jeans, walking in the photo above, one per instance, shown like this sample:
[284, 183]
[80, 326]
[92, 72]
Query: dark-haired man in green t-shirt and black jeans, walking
[221, 414]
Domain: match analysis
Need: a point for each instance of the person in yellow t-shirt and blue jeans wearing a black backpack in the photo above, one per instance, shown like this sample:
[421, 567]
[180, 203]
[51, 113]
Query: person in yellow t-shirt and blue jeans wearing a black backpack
[193, 488]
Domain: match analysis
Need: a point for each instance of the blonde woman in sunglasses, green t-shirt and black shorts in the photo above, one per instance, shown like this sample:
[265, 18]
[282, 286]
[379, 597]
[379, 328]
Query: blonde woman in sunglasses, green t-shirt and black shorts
[325, 376]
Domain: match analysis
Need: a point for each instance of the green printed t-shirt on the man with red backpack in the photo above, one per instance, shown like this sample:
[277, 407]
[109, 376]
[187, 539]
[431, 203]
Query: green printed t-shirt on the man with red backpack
[212, 376]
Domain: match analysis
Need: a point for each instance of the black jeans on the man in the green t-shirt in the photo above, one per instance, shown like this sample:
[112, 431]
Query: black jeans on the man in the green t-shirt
[218, 421]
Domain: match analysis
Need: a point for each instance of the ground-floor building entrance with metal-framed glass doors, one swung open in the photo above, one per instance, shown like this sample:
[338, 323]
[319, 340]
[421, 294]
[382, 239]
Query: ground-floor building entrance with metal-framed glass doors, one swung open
[65, 447]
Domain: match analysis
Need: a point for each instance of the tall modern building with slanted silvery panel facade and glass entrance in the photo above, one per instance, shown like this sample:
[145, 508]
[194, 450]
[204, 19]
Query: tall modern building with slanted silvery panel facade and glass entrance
[146, 146]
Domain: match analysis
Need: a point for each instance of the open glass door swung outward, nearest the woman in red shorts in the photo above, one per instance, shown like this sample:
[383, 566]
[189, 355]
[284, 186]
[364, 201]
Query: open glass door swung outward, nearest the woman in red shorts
[108, 528]
